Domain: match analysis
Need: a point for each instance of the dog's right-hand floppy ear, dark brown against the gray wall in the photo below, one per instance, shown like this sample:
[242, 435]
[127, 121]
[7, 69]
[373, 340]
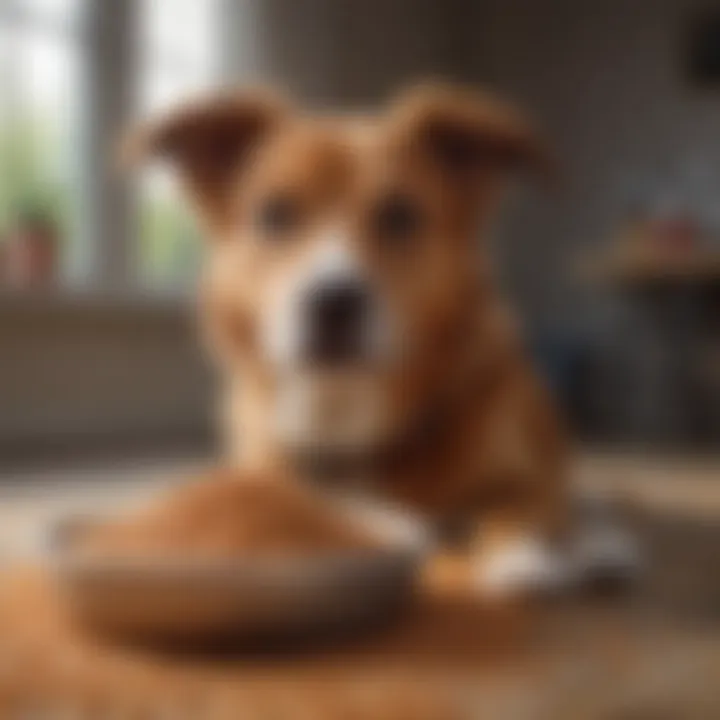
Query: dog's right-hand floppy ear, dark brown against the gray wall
[471, 135]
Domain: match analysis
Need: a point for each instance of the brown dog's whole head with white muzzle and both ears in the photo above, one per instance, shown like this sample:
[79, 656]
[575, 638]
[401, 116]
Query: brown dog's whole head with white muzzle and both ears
[342, 251]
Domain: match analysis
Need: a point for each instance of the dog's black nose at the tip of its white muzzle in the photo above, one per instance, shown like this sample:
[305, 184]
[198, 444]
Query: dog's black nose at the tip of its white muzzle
[337, 317]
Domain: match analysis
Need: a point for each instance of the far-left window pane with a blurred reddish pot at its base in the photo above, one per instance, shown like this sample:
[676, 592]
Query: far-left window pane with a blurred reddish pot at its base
[40, 47]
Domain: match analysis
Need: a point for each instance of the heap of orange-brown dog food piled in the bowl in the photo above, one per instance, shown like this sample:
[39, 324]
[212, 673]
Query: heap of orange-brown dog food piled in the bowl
[228, 514]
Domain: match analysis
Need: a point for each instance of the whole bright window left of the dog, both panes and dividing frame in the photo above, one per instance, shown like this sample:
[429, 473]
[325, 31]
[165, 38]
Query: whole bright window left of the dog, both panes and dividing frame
[65, 67]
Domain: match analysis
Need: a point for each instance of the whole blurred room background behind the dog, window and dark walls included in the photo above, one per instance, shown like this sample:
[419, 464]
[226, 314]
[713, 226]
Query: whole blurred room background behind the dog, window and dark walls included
[615, 273]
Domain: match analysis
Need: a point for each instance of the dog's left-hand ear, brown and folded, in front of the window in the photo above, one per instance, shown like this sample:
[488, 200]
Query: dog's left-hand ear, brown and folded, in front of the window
[208, 142]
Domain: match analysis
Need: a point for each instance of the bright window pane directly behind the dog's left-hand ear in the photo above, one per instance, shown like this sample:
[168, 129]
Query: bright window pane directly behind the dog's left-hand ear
[180, 57]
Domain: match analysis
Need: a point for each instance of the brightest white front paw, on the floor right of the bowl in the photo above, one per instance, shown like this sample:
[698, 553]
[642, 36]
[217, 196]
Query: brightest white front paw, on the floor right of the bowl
[519, 567]
